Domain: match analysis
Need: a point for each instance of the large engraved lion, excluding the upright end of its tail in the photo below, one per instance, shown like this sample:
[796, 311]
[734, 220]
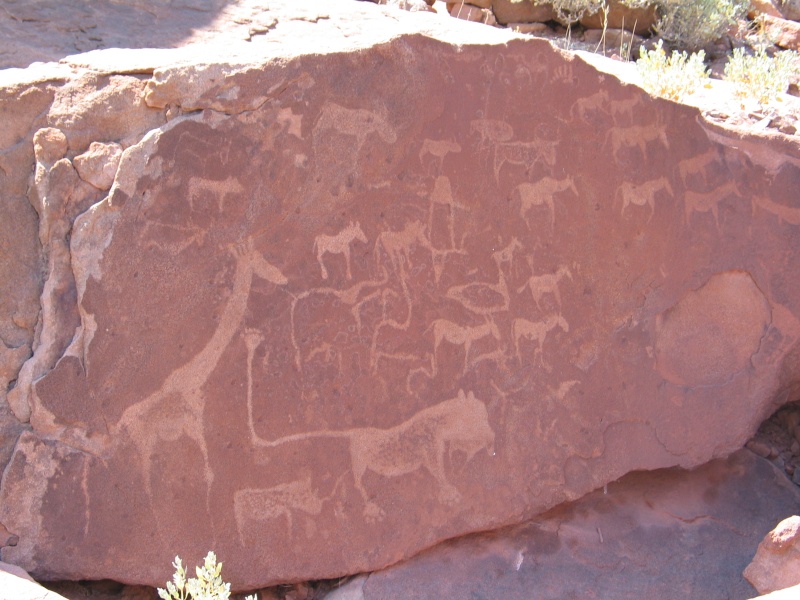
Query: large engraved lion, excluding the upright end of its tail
[460, 424]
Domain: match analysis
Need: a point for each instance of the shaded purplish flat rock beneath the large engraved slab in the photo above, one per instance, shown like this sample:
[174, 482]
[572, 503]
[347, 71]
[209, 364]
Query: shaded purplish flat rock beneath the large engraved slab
[669, 534]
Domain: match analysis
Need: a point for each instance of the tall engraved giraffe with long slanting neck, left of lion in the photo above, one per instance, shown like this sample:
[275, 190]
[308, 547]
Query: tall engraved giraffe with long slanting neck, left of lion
[177, 407]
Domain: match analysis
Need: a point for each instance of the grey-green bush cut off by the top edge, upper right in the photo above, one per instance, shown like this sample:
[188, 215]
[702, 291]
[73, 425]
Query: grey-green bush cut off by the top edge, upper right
[694, 23]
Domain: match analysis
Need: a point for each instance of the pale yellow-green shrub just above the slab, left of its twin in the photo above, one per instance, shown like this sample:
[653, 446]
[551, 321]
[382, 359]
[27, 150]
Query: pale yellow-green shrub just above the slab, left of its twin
[674, 76]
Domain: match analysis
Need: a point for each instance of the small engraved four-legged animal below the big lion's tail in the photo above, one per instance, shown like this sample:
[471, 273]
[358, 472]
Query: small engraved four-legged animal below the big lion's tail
[266, 504]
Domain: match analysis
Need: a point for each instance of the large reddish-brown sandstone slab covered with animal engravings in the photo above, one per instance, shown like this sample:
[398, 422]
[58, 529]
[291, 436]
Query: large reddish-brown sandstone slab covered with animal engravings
[351, 304]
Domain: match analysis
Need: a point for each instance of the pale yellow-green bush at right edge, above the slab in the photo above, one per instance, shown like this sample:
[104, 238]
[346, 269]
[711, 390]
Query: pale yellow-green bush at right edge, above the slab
[760, 76]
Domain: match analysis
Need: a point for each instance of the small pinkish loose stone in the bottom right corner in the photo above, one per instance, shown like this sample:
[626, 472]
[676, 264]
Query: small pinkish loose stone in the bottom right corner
[776, 564]
